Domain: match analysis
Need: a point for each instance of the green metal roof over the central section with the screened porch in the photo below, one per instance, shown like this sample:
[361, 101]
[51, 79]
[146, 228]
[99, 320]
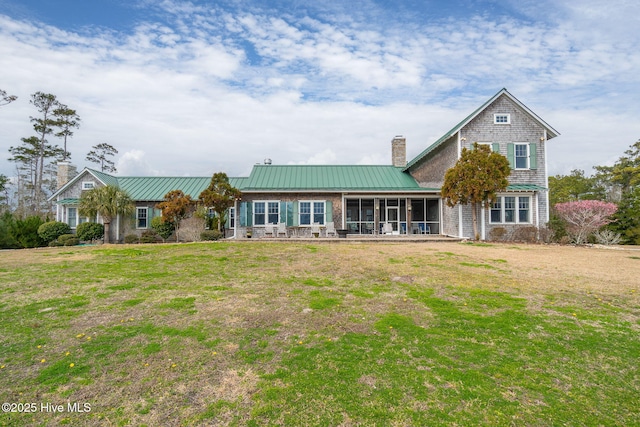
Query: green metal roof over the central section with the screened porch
[330, 178]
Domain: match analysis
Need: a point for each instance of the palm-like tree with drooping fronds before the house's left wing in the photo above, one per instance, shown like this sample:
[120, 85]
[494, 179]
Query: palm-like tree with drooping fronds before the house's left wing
[108, 202]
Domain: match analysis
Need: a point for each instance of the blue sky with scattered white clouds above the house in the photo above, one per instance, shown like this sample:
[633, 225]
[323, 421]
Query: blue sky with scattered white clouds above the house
[195, 87]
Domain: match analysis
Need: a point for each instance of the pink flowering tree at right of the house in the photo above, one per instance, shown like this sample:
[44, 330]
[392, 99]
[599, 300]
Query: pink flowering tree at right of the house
[585, 217]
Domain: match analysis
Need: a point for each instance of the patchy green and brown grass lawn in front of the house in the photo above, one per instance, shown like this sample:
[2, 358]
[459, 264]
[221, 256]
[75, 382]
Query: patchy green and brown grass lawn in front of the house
[327, 334]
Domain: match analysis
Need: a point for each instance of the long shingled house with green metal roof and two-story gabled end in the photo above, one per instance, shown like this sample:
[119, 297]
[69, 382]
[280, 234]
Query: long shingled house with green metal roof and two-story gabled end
[401, 198]
